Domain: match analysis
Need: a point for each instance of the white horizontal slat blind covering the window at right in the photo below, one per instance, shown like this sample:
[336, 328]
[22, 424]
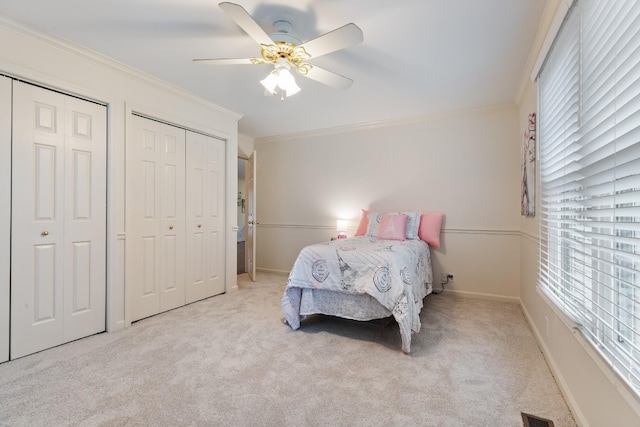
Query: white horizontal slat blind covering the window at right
[589, 141]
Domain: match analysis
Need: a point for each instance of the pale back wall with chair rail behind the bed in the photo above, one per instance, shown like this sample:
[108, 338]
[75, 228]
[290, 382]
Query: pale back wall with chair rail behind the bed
[464, 164]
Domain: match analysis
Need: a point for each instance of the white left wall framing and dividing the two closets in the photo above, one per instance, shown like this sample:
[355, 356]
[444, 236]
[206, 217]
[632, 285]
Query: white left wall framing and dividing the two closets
[72, 69]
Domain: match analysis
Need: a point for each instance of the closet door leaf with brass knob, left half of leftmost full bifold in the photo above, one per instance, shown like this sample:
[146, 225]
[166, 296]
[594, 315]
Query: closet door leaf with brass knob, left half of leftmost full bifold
[37, 276]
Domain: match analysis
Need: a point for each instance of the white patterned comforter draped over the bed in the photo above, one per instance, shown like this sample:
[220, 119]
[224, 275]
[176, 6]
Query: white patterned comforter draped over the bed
[396, 273]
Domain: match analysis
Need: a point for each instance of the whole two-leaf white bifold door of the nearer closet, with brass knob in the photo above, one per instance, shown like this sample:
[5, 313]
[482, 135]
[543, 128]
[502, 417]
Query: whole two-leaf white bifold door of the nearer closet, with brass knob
[58, 258]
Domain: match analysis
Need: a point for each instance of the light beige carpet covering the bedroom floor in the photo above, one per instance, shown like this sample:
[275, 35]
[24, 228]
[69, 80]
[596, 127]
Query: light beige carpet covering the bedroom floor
[230, 361]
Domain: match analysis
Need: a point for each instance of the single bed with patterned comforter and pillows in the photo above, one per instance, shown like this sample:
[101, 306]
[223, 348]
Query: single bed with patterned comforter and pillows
[370, 276]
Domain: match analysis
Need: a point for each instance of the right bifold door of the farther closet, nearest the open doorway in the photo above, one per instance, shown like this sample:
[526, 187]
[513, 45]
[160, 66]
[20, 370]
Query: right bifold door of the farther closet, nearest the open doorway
[205, 216]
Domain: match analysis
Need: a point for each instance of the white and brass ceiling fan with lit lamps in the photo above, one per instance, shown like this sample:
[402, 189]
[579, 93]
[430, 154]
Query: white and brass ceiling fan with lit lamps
[286, 52]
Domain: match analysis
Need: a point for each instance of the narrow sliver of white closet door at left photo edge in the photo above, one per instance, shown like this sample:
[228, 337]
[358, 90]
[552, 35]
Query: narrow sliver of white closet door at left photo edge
[5, 213]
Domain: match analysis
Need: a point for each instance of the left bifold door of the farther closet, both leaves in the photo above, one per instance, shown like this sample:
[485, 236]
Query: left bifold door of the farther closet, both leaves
[155, 176]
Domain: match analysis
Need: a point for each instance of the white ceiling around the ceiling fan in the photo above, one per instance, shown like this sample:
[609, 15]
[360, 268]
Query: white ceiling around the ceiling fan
[418, 56]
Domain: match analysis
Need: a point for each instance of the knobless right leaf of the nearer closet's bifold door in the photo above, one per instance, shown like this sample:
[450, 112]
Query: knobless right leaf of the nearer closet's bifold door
[85, 219]
